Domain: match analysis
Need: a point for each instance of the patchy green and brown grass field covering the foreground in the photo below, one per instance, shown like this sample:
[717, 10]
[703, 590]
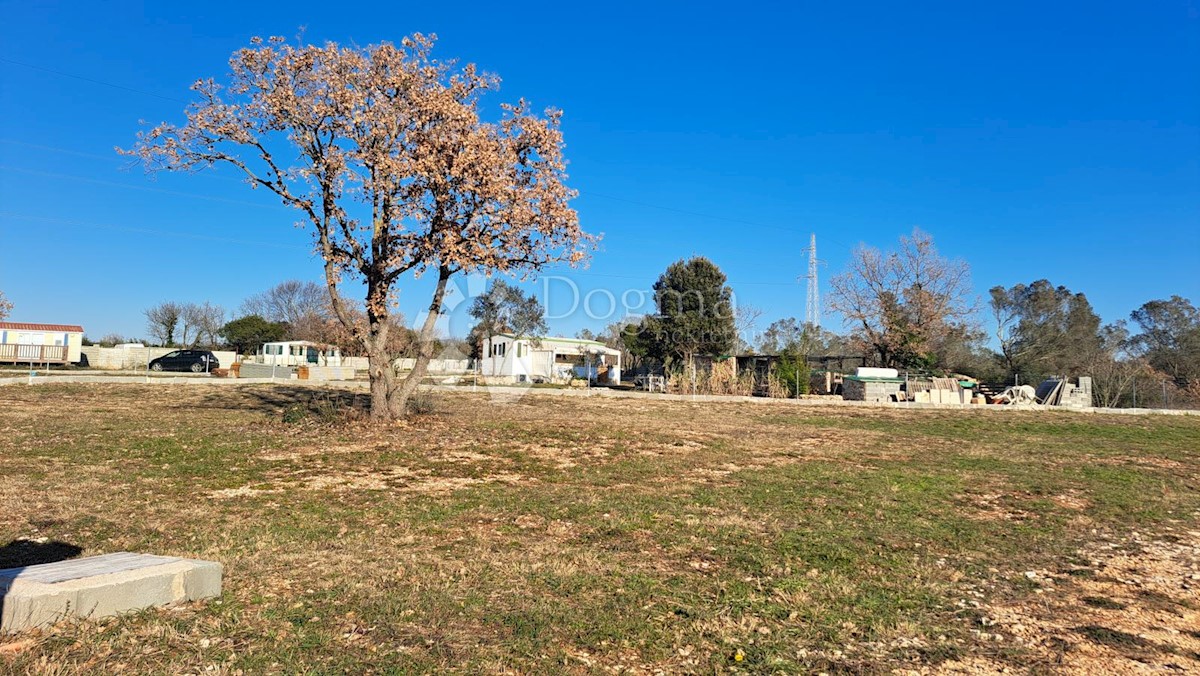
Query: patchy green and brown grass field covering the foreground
[611, 535]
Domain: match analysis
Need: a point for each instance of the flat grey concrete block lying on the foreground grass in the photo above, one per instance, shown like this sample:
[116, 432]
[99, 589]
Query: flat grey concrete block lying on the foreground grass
[100, 587]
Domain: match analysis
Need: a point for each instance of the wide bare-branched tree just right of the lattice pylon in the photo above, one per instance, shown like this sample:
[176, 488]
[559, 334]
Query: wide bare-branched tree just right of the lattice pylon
[903, 303]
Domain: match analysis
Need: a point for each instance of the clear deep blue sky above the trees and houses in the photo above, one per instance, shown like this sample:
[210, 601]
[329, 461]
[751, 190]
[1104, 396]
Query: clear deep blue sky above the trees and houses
[1033, 140]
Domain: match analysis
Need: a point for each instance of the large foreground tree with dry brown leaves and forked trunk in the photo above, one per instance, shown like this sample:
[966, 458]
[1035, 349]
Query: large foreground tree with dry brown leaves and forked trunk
[393, 169]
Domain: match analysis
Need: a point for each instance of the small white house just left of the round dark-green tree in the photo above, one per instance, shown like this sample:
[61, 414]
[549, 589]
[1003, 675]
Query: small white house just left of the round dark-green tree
[549, 360]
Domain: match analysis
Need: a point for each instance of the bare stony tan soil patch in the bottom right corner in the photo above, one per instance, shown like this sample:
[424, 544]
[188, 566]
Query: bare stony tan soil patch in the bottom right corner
[1133, 609]
